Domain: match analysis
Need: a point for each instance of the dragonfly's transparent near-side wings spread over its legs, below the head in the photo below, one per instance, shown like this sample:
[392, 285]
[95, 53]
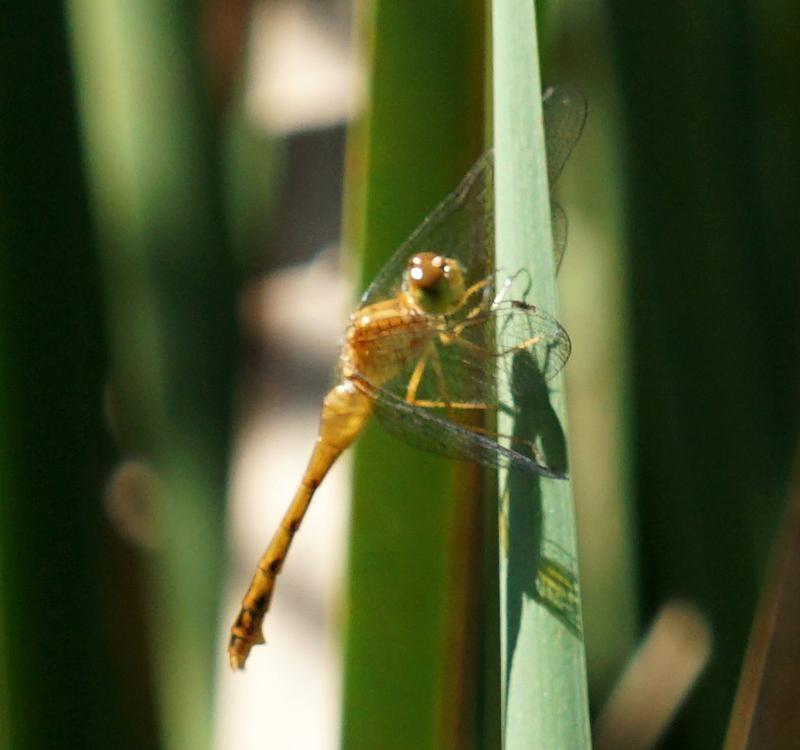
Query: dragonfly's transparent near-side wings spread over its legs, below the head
[457, 379]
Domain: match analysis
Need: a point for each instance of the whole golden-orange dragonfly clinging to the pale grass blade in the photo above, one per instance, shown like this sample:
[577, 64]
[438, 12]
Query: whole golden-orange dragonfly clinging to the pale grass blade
[426, 347]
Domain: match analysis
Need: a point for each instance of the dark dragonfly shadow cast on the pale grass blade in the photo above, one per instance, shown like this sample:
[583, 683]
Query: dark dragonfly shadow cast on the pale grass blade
[535, 572]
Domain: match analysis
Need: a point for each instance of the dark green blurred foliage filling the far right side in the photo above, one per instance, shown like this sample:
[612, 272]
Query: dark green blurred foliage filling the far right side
[711, 150]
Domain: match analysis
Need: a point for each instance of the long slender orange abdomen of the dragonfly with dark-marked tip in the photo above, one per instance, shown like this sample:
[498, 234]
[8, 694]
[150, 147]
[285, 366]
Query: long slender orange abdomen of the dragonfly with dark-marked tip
[345, 411]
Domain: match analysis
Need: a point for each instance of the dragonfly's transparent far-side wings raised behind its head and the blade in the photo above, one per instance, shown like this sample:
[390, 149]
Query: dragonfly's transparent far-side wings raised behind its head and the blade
[462, 225]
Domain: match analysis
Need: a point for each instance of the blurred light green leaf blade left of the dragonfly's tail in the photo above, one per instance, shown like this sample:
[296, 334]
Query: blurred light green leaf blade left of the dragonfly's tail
[154, 167]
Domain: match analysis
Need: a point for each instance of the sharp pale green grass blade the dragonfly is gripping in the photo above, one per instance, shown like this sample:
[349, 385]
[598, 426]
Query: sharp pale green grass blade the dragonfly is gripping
[542, 658]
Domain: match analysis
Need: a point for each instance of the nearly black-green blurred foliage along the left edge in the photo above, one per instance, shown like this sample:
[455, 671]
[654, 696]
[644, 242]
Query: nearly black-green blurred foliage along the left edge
[69, 676]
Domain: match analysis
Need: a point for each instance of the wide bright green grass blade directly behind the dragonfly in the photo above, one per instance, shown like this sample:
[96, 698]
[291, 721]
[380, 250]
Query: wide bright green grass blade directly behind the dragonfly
[408, 680]
